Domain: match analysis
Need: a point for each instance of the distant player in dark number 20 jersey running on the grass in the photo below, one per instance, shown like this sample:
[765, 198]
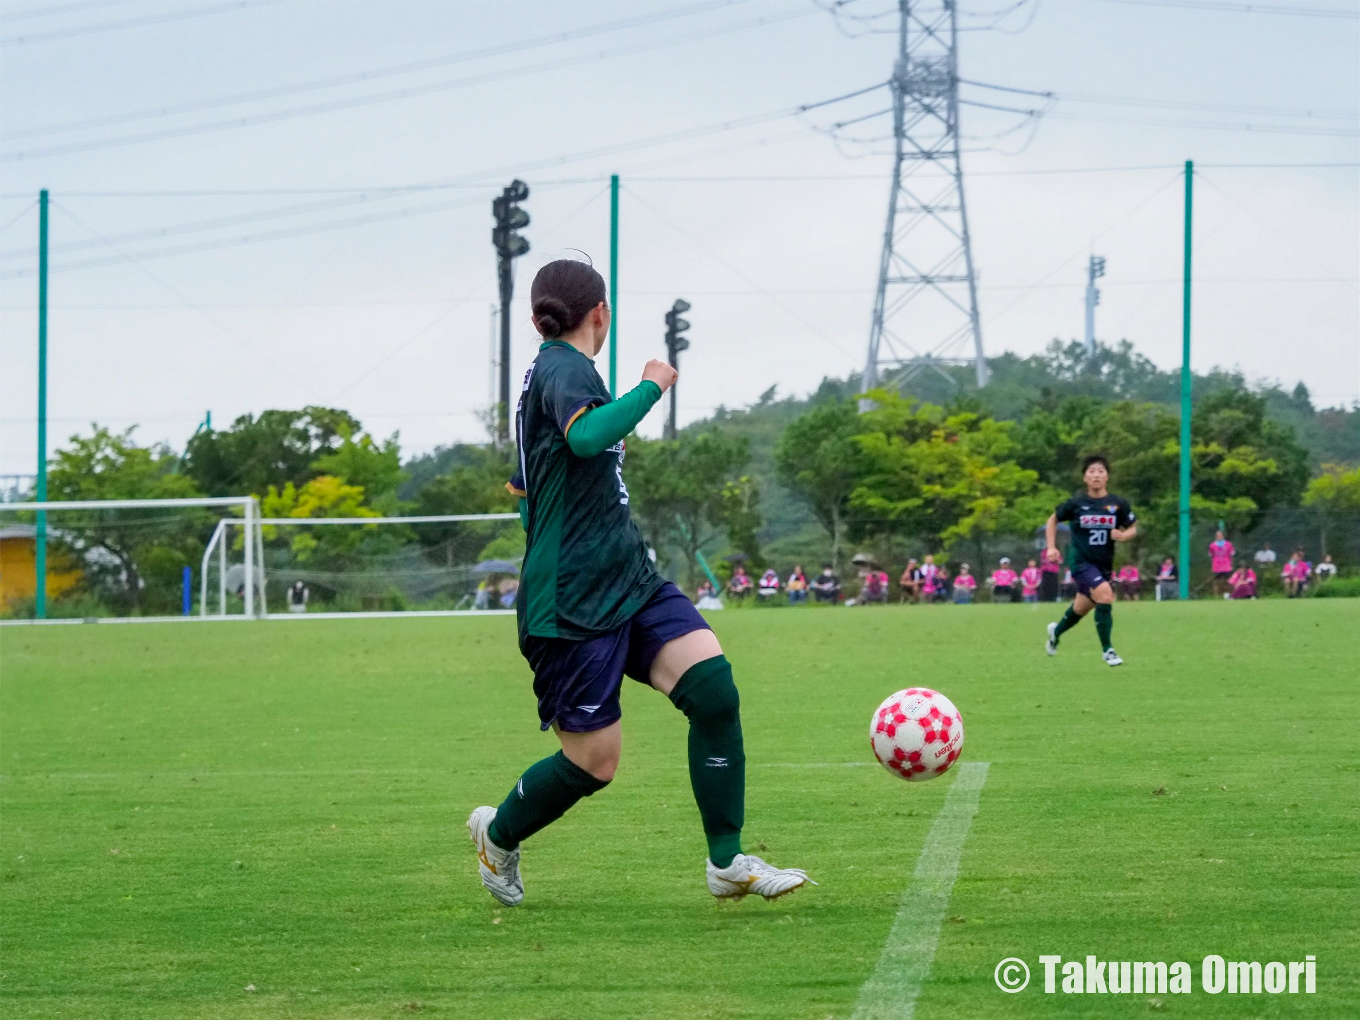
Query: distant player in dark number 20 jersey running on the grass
[1098, 520]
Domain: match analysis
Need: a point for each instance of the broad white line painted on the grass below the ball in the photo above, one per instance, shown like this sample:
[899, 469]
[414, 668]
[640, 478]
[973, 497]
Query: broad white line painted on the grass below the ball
[893, 989]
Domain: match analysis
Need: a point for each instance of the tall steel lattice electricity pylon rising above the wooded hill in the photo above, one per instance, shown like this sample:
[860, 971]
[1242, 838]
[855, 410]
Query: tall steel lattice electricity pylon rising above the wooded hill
[925, 311]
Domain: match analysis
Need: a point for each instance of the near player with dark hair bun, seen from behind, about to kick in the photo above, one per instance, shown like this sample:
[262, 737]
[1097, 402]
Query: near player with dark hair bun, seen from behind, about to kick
[594, 609]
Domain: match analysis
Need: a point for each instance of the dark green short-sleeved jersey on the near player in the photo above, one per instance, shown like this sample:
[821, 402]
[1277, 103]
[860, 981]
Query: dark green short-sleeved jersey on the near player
[585, 571]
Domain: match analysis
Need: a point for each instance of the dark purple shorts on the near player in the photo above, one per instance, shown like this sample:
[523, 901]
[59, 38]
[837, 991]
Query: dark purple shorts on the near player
[579, 682]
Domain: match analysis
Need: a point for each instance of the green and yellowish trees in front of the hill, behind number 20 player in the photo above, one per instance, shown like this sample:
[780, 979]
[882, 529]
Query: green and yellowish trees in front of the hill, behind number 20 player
[955, 478]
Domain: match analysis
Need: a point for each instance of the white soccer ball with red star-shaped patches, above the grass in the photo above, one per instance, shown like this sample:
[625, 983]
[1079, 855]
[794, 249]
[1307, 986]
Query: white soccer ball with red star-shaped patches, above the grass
[917, 734]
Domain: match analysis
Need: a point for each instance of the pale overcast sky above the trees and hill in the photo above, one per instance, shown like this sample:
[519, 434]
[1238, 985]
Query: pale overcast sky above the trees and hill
[237, 226]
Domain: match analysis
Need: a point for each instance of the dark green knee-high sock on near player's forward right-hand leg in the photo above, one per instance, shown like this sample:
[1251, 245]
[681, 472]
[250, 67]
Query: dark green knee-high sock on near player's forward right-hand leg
[717, 761]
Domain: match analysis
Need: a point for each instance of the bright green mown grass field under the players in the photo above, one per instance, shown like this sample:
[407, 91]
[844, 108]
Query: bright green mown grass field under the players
[191, 810]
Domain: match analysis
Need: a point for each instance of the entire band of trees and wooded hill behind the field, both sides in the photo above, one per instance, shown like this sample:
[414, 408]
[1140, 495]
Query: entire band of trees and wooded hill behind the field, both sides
[781, 481]
